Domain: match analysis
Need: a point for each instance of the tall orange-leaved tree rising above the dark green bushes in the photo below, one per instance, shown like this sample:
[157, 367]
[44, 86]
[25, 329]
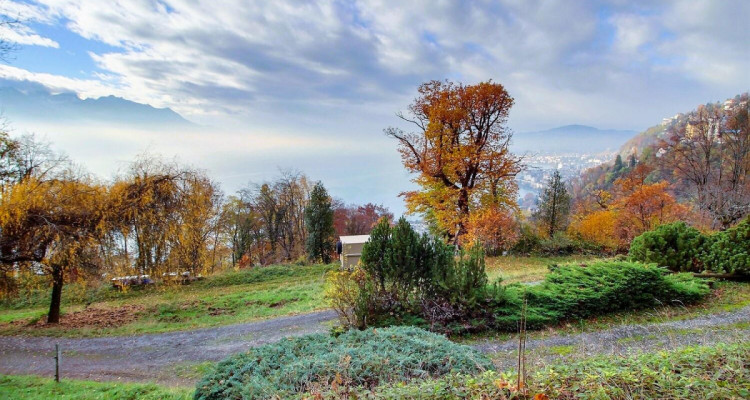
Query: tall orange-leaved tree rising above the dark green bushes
[459, 150]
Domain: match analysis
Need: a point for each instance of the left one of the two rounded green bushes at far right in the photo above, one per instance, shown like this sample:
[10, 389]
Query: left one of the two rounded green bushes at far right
[676, 246]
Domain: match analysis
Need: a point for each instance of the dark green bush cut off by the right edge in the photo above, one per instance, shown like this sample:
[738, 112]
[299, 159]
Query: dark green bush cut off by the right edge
[729, 251]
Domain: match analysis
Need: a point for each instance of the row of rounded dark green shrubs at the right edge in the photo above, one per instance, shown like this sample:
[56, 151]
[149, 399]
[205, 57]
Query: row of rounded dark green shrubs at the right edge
[680, 247]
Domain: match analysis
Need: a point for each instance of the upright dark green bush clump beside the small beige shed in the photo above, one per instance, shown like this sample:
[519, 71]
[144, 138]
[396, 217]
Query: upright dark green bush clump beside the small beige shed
[416, 278]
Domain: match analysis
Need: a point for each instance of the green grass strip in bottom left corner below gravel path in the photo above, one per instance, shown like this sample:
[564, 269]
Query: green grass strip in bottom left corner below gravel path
[33, 388]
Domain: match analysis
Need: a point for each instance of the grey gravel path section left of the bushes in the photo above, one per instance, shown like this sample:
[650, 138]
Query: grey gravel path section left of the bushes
[154, 357]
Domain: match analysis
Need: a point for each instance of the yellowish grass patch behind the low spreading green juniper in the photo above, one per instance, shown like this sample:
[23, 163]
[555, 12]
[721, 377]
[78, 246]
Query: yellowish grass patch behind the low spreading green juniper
[528, 269]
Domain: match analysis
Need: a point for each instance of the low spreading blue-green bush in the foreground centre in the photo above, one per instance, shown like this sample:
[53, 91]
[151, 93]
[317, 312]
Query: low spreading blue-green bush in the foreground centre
[356, 358]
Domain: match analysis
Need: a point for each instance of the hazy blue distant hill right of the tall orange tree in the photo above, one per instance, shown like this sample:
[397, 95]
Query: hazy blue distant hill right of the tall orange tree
[571, 139]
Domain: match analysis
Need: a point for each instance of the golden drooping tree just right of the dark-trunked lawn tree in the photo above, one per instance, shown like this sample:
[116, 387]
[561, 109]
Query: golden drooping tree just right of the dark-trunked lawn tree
[166, 216]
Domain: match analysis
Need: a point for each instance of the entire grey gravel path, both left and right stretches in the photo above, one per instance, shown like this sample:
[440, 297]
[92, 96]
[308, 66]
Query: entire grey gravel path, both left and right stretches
[166, 358]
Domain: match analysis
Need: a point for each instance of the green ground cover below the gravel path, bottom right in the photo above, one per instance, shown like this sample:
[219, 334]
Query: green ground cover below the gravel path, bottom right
[710, 372]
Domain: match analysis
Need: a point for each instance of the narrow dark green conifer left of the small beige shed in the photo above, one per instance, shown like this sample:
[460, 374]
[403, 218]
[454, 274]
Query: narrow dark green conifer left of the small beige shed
[319, 224]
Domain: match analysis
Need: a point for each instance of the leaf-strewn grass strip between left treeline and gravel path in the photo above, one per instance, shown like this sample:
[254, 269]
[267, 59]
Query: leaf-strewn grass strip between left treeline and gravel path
[227, 298]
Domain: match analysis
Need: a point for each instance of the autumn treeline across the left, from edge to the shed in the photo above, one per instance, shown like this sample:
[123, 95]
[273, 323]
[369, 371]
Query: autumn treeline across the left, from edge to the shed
[157, 218]
